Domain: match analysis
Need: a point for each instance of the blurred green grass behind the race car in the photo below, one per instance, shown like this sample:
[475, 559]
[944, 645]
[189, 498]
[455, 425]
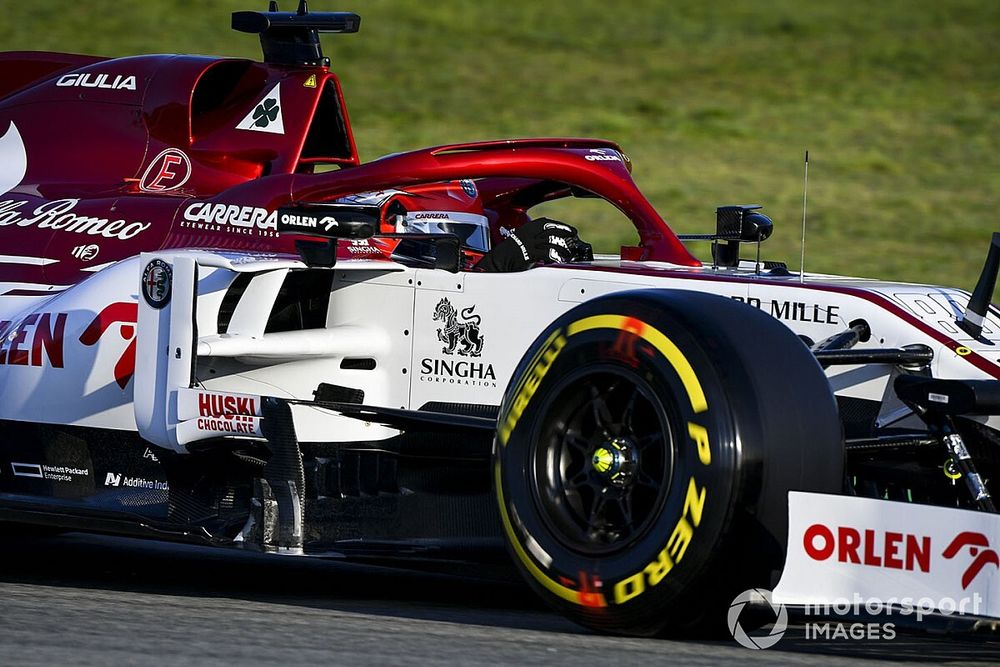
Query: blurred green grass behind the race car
[714, 101]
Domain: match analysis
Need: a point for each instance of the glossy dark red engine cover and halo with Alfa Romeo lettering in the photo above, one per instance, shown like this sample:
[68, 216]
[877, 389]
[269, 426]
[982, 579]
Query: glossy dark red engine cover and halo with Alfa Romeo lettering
[143, 153]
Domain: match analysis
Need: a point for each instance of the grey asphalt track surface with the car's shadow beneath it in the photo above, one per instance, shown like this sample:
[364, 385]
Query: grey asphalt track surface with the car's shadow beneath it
[87, 600]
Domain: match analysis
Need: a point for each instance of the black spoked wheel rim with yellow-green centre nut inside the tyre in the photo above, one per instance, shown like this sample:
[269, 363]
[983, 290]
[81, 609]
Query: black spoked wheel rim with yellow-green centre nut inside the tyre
[601, 464]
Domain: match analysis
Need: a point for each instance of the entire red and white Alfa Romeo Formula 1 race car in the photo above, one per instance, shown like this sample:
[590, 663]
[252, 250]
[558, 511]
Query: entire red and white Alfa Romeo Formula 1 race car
[219, 326]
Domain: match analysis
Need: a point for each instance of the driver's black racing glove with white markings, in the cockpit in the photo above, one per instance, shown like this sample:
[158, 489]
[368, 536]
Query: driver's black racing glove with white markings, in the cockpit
[541, 240]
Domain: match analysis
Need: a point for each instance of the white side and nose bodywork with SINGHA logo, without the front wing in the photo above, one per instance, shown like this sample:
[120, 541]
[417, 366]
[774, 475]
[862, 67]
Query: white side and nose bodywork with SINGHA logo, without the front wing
[385, 312]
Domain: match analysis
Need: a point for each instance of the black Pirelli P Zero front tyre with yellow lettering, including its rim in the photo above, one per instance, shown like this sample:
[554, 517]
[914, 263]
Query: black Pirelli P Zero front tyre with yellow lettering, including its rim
[644, 452]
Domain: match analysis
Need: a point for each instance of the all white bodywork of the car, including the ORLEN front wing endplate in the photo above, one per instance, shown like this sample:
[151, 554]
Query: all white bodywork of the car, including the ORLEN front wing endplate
[429, 337]
